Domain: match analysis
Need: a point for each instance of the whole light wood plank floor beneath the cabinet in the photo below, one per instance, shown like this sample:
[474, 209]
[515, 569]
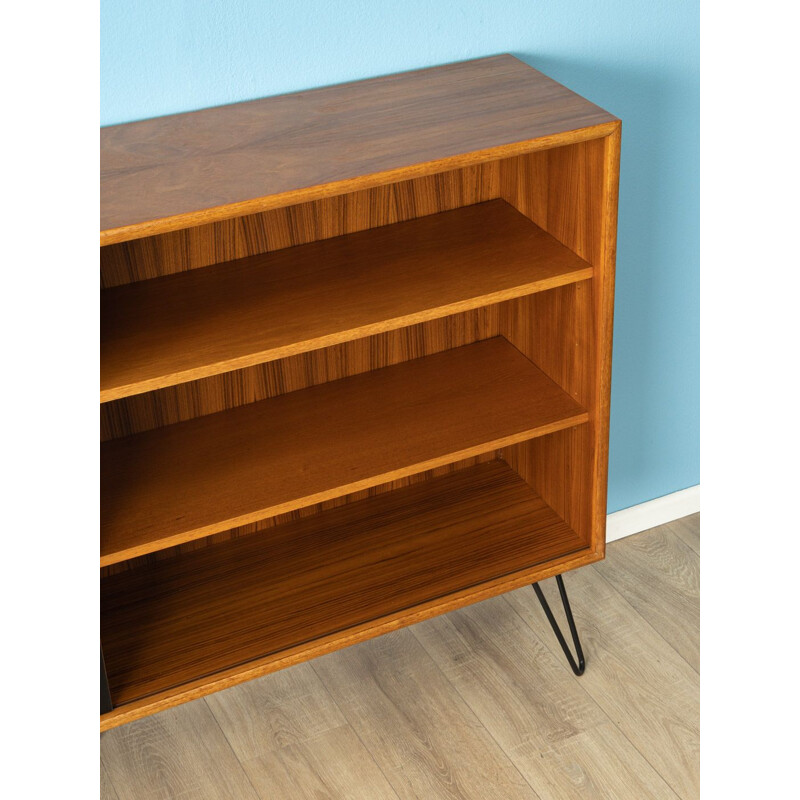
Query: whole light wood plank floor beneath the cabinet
[478, 703]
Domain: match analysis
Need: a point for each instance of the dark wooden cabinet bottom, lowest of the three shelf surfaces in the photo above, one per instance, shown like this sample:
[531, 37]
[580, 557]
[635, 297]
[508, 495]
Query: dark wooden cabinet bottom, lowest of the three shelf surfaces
[330, 575]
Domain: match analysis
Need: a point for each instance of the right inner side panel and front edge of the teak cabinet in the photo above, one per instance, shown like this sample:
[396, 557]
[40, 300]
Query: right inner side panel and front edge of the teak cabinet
[572, 193]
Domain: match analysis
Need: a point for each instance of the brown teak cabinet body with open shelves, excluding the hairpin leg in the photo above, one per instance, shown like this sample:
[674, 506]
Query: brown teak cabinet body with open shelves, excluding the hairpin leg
[355, 367]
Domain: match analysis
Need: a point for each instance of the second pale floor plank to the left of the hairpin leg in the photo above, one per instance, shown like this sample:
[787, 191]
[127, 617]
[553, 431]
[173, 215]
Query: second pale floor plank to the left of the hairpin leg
[422, 735]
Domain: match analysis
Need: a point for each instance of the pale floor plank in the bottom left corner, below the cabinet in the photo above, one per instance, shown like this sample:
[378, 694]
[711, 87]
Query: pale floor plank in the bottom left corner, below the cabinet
[179, 753]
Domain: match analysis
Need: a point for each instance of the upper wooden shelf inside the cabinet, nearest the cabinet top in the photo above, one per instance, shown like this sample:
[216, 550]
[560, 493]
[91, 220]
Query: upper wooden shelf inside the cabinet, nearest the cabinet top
[207, 321]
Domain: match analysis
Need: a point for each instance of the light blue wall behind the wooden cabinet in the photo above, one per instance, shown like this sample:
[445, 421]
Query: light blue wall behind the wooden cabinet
[638, 59]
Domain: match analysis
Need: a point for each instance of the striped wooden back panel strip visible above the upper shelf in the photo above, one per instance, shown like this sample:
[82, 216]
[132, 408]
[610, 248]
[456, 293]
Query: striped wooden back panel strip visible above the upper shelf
[266, 231]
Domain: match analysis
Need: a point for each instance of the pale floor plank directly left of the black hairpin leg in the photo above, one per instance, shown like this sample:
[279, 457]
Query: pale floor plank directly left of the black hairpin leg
[554, 732]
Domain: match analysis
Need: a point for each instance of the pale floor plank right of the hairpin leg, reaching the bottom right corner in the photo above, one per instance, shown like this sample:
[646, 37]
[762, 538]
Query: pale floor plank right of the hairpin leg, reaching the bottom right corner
[644, 686]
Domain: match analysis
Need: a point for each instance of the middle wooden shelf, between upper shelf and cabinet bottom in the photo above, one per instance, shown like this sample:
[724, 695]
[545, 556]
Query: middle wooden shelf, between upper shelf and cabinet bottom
[189, 480]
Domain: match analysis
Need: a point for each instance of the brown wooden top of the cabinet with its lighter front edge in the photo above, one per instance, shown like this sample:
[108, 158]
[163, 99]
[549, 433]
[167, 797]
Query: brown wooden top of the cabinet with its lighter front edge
[188, 169]
